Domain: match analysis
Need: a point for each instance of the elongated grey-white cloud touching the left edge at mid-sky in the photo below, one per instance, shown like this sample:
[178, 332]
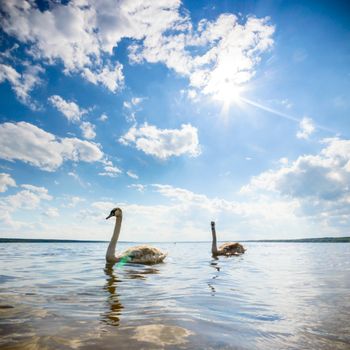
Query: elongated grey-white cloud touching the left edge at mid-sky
[42, 149]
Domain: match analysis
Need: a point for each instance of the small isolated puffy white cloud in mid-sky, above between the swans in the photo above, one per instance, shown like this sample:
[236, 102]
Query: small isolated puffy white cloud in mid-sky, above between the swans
[163, 143]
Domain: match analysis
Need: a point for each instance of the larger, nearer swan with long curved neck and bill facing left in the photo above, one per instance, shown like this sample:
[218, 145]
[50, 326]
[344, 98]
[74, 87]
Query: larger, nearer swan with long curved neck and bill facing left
[139, 255]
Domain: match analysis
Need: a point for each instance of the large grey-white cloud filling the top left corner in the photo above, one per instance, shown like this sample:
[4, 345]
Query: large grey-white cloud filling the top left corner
[81, 34]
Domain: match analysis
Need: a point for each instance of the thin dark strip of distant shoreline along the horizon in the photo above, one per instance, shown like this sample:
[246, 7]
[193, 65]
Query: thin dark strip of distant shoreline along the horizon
[302, 240]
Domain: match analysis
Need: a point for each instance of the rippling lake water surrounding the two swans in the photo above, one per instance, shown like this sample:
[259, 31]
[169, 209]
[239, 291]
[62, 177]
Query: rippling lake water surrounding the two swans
[276, 296]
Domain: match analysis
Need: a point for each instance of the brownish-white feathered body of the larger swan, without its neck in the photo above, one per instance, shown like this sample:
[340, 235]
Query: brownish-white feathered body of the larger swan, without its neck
[143, 254]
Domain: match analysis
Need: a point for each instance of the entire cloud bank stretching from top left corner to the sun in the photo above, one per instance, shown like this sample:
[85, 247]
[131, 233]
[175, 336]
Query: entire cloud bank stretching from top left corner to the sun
[215, 56]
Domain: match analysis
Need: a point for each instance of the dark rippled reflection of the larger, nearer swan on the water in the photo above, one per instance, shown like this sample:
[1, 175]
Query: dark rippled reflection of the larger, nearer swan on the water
[114, 306]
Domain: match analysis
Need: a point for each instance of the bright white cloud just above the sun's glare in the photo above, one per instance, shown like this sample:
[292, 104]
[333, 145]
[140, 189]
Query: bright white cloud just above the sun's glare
[231, 52]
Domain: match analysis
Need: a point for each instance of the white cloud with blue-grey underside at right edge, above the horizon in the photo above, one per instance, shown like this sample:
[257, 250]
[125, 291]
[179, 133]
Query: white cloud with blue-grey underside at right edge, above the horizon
[324, 176]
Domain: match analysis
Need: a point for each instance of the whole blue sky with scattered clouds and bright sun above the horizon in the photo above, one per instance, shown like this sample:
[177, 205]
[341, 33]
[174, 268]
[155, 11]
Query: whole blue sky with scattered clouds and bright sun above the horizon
[178, 112]
